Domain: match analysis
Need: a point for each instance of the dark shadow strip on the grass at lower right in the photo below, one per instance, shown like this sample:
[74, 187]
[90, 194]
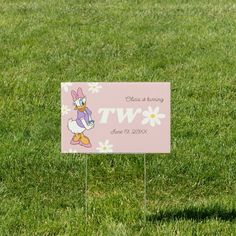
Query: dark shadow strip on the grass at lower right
[194, 214]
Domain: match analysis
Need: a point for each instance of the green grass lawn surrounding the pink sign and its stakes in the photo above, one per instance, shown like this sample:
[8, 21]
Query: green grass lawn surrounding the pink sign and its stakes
[192, 191]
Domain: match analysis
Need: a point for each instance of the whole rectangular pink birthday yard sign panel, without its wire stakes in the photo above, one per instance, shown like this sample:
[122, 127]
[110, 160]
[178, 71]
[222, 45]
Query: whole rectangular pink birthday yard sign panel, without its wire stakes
[115, 117]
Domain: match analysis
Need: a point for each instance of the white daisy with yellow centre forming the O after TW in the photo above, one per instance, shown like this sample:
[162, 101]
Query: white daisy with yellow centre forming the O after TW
[152, 116]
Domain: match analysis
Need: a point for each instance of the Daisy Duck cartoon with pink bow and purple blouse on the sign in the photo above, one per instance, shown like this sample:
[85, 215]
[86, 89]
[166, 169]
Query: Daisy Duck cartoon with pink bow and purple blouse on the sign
[83, 121]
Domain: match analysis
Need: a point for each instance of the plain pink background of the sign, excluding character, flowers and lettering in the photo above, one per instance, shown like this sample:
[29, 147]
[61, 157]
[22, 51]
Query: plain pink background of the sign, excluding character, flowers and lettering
[113, 95]
